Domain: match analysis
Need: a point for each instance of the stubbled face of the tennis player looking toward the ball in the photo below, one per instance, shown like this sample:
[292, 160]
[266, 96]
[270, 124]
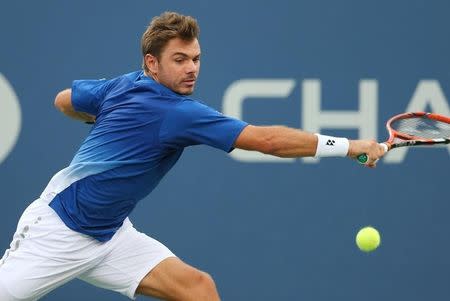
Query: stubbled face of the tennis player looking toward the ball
[178, 66]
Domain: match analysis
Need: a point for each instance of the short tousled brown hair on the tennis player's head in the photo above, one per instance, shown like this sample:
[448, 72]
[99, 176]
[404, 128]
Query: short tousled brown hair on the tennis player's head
[162, 29]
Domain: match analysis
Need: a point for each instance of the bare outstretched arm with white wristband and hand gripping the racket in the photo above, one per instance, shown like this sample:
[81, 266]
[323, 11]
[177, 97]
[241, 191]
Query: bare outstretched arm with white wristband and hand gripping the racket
[287, 142]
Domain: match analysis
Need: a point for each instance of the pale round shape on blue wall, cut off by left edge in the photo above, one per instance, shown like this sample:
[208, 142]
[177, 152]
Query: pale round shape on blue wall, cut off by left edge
[10, 122]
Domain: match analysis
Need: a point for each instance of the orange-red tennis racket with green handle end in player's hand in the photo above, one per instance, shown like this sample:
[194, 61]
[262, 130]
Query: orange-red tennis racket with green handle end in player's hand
[413, 129]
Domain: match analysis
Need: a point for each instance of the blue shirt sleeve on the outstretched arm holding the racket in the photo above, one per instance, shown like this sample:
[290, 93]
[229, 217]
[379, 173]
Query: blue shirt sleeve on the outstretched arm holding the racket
[192, 123]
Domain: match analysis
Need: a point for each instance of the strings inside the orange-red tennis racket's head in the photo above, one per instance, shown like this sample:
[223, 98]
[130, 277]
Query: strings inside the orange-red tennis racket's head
[422, 127]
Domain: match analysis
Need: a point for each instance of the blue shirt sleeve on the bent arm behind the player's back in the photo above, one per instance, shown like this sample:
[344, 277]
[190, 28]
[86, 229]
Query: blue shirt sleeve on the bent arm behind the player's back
[87, 95]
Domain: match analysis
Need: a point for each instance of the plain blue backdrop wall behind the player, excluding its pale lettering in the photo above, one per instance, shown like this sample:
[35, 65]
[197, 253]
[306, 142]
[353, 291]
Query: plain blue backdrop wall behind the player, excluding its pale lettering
[265, 231]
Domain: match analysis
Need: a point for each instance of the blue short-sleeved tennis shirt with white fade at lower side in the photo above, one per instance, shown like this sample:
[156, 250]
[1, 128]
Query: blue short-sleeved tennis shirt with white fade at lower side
[140, 132]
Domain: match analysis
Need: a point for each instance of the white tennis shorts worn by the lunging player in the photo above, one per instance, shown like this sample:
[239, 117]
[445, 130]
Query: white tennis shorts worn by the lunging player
[45, 254]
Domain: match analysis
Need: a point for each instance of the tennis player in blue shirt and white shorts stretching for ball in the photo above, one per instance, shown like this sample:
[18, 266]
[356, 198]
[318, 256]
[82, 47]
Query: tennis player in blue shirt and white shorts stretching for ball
[78, 228]
